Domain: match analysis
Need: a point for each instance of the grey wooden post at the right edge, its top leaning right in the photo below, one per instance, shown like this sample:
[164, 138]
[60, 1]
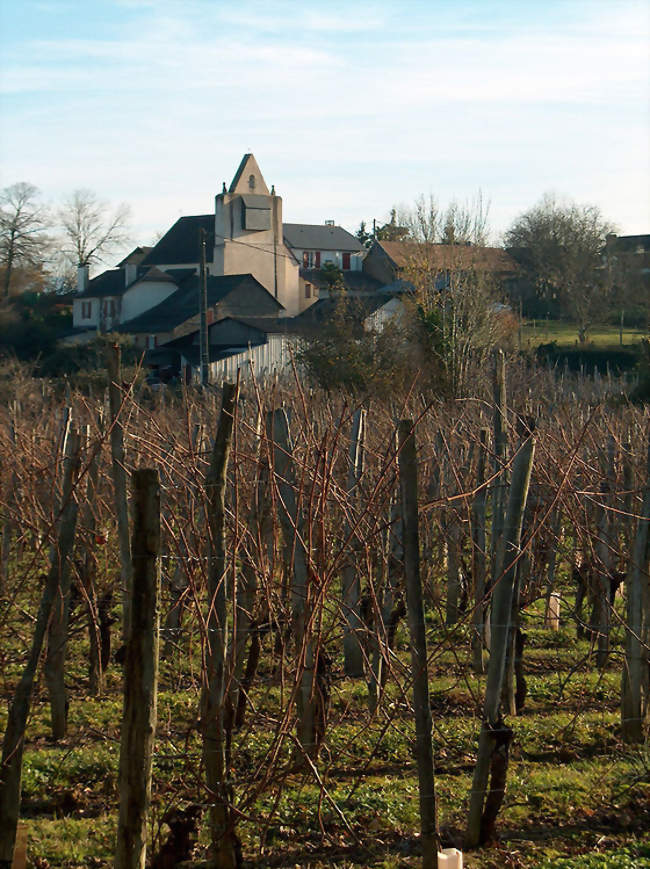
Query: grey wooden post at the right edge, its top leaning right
[634, 695]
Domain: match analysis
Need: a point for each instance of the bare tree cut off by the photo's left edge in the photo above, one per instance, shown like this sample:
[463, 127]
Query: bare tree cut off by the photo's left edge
[23, 224]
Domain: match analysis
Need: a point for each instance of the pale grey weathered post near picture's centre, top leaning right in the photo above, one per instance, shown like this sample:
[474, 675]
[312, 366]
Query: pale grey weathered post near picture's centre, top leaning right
[351, 591]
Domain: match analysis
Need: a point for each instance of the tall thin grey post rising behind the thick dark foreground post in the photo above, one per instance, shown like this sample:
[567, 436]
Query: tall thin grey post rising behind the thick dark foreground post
[116, 429]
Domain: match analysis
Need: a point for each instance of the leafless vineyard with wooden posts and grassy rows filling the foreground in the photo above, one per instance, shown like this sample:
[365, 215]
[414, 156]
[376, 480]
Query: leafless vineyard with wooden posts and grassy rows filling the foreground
[263, 625]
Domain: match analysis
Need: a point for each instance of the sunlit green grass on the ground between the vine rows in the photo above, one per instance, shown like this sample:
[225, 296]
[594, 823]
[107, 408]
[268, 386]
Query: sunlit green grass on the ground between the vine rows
[576, 795]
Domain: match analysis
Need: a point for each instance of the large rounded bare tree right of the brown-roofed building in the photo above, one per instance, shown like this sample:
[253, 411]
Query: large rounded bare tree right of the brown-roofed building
[561, 248]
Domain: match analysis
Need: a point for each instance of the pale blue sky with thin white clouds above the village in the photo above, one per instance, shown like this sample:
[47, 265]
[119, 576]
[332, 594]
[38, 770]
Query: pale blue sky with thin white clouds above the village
[349, 108]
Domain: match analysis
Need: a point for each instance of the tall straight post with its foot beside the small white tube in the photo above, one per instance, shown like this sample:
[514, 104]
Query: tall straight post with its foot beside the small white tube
[407, 463]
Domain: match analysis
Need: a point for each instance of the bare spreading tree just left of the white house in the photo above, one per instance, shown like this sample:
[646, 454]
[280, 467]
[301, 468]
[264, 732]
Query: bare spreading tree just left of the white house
[92, 231]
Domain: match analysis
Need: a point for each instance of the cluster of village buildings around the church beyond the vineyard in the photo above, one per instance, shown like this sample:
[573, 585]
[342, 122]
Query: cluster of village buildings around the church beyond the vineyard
[264, 284]
